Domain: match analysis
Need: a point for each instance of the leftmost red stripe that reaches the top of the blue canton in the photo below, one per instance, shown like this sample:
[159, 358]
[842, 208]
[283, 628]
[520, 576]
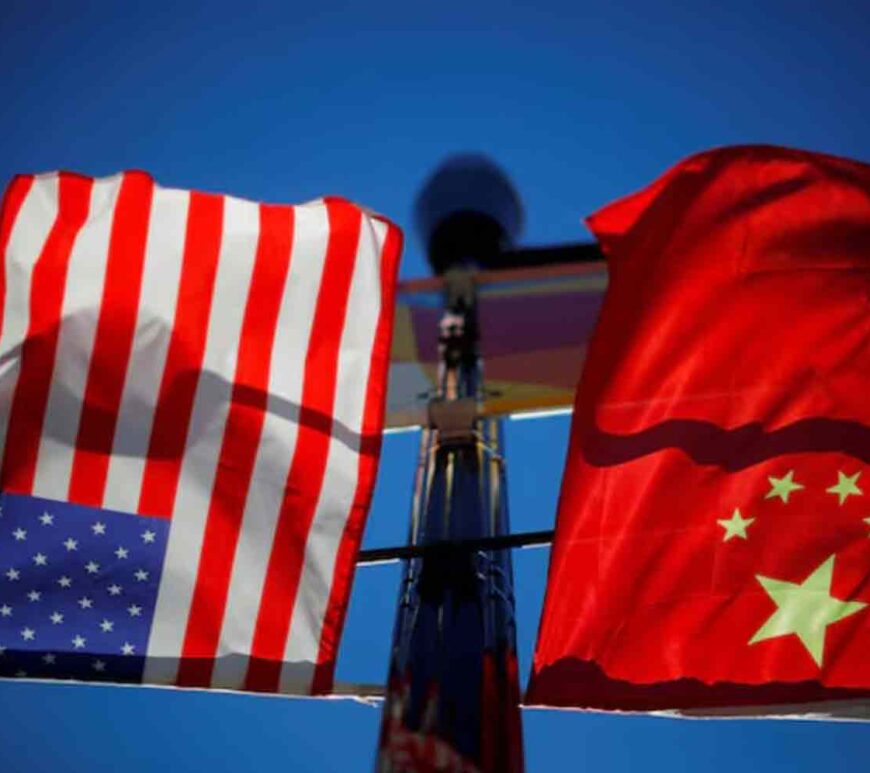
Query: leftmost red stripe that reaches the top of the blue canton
[39, 348]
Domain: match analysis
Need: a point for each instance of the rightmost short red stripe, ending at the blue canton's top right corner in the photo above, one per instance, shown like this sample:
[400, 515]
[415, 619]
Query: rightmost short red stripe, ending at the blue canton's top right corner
[184, 357]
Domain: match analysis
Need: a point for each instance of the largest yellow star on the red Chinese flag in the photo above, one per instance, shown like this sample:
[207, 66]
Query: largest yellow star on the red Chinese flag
[805, 610]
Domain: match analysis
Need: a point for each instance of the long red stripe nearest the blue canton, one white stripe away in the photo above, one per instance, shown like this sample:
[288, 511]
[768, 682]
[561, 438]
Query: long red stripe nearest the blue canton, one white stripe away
[238, 453]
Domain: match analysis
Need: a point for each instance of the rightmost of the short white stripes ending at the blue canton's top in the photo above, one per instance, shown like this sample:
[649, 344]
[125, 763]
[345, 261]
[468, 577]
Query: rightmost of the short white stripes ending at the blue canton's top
[161, 273]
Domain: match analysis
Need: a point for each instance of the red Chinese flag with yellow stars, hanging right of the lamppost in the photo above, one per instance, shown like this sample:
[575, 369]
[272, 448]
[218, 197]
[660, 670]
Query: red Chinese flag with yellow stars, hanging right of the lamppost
[712, 548]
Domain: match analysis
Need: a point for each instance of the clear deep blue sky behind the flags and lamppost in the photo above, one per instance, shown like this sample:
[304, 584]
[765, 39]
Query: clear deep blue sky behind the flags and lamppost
[580, 102]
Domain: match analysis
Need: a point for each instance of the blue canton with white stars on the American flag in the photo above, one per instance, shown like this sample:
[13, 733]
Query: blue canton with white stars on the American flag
[78, 587]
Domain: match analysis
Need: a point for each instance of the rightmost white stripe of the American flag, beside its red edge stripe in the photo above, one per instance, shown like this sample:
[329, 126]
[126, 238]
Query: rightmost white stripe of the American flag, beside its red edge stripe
[342, 465]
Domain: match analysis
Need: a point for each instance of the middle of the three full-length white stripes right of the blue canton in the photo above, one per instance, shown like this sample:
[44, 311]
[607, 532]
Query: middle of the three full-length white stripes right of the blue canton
[277, 444]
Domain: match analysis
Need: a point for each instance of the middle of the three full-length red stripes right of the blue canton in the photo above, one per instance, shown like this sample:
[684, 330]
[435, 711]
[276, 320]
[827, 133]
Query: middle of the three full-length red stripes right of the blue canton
[307, 469]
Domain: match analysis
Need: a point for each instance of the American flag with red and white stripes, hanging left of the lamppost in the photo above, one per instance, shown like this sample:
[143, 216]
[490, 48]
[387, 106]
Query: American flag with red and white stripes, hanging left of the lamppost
[191, 399]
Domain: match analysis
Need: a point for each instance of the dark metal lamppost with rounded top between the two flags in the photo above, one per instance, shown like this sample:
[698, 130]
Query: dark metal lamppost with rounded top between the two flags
[452, 698]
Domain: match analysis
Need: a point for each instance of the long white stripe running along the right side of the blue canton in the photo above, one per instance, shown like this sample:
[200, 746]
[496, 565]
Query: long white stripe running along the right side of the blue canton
[241, 225]
